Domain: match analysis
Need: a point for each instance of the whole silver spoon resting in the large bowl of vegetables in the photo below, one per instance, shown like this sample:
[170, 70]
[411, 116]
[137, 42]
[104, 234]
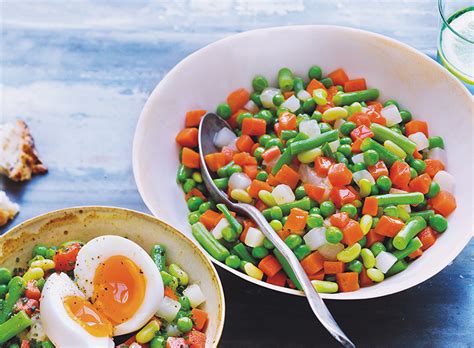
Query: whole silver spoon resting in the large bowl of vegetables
[210, 125]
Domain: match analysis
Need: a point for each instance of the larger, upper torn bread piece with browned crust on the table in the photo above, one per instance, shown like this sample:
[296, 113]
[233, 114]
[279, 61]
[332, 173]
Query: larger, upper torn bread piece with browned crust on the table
[18, 157]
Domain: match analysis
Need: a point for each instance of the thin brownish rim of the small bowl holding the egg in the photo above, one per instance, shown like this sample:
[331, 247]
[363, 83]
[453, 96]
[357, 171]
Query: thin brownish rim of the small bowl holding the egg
[102, 208]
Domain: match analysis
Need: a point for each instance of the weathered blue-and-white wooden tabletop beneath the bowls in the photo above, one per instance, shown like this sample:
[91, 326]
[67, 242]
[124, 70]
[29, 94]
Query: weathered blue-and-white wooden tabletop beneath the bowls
[79, 73]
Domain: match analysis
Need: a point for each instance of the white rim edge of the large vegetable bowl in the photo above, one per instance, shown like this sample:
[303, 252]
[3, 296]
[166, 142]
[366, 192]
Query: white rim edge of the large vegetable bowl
[154, 96]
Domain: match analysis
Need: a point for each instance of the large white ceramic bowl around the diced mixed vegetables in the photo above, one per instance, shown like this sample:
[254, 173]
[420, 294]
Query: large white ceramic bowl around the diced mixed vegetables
[204, 79]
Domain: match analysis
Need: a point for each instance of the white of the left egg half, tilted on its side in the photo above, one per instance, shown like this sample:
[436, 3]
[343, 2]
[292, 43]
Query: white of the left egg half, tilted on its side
[60, 328]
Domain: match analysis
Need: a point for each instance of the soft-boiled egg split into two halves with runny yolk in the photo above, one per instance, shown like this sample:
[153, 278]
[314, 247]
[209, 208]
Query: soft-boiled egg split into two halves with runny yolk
[119, 289]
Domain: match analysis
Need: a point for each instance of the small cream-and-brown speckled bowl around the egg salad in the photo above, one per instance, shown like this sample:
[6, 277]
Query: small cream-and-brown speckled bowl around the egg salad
[86, 223]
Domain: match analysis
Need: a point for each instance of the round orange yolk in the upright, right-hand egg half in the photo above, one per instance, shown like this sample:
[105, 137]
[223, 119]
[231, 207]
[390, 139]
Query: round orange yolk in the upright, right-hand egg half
[119, 288]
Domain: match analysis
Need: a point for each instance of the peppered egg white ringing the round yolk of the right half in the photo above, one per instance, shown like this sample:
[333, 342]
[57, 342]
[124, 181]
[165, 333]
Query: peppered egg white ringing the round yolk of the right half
[99, 250]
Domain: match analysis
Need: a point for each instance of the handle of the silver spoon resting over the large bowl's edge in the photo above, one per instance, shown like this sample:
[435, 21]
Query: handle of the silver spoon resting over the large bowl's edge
[317, 305]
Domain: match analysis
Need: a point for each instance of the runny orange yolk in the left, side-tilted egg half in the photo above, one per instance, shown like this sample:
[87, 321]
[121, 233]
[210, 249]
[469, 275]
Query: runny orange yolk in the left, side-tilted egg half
[87, 316]
